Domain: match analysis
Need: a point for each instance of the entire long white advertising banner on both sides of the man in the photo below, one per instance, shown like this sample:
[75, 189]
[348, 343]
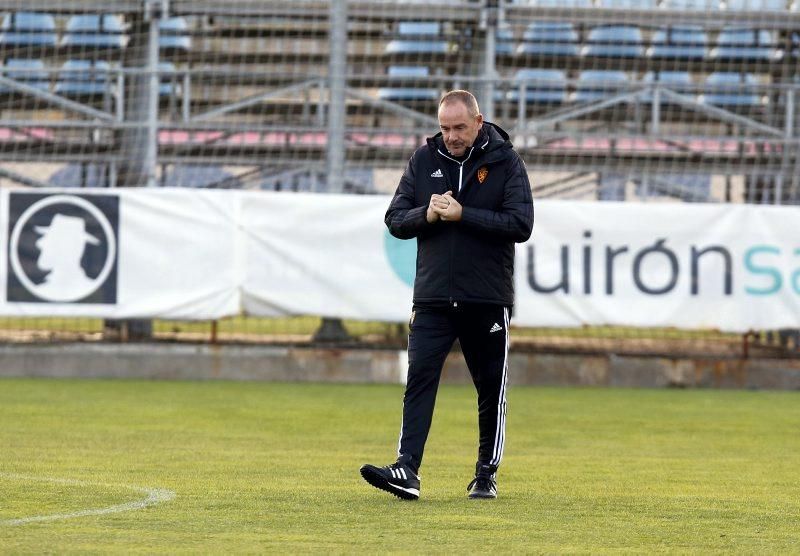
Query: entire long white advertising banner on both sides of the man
[187, 254]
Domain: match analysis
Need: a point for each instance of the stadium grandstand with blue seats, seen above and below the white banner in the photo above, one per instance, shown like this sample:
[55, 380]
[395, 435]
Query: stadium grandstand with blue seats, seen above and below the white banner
[676, 101]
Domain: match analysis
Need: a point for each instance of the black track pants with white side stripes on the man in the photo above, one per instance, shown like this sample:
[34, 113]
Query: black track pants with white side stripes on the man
[483, 333]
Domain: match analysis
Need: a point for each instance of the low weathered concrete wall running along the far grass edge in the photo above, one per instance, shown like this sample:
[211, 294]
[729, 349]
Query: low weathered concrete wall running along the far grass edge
[204, 362]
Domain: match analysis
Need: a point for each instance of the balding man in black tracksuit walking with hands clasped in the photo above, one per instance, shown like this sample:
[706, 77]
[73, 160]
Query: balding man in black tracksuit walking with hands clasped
[465, 196]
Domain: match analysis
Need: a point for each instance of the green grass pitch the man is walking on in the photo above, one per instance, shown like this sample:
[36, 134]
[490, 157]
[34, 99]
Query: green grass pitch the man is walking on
[274, 468]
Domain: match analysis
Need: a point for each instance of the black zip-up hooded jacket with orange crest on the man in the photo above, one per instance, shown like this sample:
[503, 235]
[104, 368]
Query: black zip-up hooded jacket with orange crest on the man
[471, 260]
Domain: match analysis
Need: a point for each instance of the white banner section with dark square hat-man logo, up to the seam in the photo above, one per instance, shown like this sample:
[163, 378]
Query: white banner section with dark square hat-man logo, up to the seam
[115, 253]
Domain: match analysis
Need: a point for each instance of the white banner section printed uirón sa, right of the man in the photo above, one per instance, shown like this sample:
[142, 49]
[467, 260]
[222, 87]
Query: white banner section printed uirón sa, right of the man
[696, 266]
